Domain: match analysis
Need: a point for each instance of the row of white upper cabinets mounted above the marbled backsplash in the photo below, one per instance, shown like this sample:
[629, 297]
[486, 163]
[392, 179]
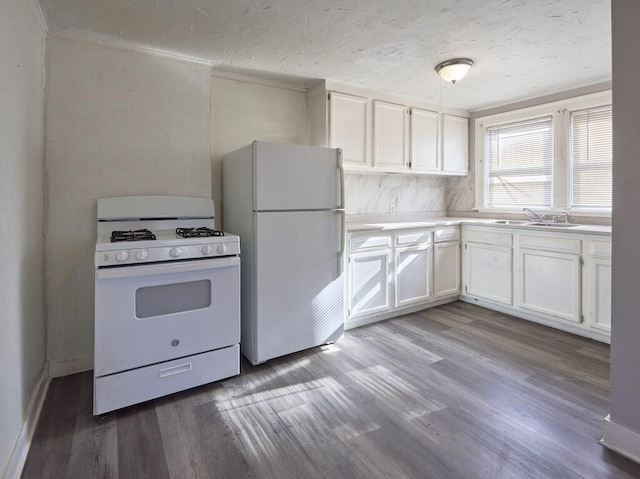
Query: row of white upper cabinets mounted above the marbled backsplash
[386, 133]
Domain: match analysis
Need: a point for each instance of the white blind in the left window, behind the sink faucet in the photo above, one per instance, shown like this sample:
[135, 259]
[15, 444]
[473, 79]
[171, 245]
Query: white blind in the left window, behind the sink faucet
[519, 163]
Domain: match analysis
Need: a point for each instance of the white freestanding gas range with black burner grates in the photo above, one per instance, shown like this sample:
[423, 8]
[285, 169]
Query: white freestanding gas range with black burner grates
[167, 299]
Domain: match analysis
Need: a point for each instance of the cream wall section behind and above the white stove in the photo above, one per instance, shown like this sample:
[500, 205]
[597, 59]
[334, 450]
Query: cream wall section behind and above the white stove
[118, 123]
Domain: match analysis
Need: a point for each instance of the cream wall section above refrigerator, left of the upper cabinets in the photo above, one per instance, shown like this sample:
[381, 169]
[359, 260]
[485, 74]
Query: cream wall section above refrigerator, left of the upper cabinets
[244, 111]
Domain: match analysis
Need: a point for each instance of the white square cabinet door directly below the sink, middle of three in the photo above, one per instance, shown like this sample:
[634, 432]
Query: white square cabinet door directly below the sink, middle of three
[550, 283]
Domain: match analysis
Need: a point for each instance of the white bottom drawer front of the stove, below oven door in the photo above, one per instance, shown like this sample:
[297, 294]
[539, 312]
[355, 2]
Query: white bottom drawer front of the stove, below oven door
[131, 387]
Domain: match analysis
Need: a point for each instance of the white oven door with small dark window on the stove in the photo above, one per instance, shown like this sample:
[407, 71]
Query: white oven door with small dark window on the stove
[152, 313]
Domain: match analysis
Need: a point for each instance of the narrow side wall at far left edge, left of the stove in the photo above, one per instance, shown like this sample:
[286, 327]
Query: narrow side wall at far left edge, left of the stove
[22, 337]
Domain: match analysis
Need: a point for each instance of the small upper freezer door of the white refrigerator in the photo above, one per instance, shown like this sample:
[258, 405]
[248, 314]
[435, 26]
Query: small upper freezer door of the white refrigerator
[292, 177]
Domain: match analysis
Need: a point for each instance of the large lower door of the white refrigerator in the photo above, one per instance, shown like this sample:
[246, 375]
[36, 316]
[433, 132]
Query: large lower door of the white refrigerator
[299, 282]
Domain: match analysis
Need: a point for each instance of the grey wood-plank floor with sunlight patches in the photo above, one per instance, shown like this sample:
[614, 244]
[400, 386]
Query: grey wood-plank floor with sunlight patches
[451, 392]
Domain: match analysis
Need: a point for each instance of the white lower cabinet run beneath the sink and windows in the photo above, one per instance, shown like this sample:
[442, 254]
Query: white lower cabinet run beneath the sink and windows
[562, 280]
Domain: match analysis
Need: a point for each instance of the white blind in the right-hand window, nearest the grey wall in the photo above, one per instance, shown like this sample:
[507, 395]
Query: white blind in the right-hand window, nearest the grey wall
[591, 158]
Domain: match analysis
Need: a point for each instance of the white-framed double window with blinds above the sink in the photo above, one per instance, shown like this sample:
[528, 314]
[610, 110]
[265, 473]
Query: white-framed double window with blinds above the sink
[549, 157]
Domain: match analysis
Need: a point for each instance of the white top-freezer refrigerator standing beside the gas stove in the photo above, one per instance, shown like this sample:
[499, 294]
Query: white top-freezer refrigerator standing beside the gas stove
[286, 203]
